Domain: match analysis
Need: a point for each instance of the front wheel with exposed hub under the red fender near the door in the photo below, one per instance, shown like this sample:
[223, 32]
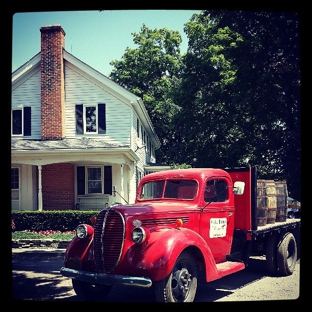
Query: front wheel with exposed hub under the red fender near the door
[181, 284]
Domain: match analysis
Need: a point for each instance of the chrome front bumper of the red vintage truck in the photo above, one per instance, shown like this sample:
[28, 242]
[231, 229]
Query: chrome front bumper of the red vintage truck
[100, 278]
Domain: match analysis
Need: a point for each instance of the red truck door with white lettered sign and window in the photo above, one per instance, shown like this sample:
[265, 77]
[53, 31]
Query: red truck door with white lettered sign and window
[217, 217]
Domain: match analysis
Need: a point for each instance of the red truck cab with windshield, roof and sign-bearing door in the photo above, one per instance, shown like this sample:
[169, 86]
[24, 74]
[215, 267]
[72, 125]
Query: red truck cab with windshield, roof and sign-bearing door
[203, 197]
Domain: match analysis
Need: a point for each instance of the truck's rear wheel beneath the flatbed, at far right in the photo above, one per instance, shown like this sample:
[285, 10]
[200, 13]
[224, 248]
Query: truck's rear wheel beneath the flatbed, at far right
[287, 254]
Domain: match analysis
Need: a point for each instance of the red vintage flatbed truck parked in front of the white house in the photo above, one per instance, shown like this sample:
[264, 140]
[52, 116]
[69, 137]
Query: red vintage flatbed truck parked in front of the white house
[183, 221]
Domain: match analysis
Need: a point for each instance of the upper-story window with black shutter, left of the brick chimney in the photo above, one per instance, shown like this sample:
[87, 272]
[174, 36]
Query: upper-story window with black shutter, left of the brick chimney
[21, 121]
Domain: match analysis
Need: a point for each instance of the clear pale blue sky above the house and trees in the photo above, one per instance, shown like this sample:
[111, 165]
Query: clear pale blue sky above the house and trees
[95, 37]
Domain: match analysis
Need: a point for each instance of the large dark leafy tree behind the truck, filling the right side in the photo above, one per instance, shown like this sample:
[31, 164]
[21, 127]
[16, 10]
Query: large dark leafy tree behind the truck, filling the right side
[240, 93]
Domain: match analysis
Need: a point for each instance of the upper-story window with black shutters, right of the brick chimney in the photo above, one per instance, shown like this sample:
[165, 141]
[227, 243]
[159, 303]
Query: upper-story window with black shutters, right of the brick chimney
[90, 119]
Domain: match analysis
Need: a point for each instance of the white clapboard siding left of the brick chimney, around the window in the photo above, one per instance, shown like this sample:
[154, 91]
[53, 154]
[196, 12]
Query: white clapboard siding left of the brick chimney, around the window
[28, 94]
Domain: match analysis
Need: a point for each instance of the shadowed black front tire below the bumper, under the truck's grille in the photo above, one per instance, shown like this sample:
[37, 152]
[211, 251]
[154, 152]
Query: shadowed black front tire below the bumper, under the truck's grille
[91, 292]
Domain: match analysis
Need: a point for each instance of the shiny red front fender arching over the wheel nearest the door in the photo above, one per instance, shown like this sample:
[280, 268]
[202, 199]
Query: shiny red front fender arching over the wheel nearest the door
[157, 259]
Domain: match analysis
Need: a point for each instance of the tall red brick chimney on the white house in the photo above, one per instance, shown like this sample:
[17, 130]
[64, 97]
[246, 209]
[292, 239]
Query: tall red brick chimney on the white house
[52, 82]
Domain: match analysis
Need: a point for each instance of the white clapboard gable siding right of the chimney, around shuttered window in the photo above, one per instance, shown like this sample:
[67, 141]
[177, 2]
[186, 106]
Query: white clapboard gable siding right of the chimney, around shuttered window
[80, 90]
